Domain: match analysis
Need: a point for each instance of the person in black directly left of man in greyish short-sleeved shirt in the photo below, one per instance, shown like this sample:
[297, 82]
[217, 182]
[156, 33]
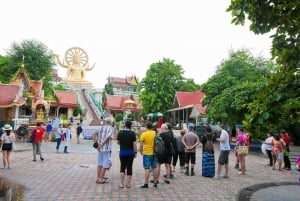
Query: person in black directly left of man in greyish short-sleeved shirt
[180, 152]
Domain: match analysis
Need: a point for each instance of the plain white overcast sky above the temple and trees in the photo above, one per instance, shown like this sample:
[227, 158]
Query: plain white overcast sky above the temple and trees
[124, 37]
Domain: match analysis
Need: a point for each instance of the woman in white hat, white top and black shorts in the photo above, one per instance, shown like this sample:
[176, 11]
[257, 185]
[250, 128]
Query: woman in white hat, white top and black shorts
[7, 140]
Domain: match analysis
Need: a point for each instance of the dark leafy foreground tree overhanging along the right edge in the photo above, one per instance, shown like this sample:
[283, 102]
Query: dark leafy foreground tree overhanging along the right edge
[278, 104]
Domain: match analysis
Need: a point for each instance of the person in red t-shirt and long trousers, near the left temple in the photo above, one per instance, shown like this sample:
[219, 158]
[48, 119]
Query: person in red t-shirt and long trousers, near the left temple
[38, 134]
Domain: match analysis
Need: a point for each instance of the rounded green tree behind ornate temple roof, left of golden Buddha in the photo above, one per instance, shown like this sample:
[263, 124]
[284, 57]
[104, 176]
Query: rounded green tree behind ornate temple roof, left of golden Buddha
[38, 61]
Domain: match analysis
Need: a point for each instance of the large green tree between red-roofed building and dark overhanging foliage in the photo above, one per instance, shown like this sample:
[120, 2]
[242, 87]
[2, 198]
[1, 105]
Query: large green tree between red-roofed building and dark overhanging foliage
[233, 86]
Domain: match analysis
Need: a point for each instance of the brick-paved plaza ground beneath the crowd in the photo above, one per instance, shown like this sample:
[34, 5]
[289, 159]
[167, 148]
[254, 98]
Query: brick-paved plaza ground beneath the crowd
[72, 177]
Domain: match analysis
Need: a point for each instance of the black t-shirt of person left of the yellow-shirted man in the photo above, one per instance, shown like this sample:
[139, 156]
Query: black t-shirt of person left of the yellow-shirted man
[126, 139]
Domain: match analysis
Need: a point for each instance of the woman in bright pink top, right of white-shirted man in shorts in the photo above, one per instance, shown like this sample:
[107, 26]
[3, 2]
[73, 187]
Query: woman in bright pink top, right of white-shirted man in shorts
[241, 141]
